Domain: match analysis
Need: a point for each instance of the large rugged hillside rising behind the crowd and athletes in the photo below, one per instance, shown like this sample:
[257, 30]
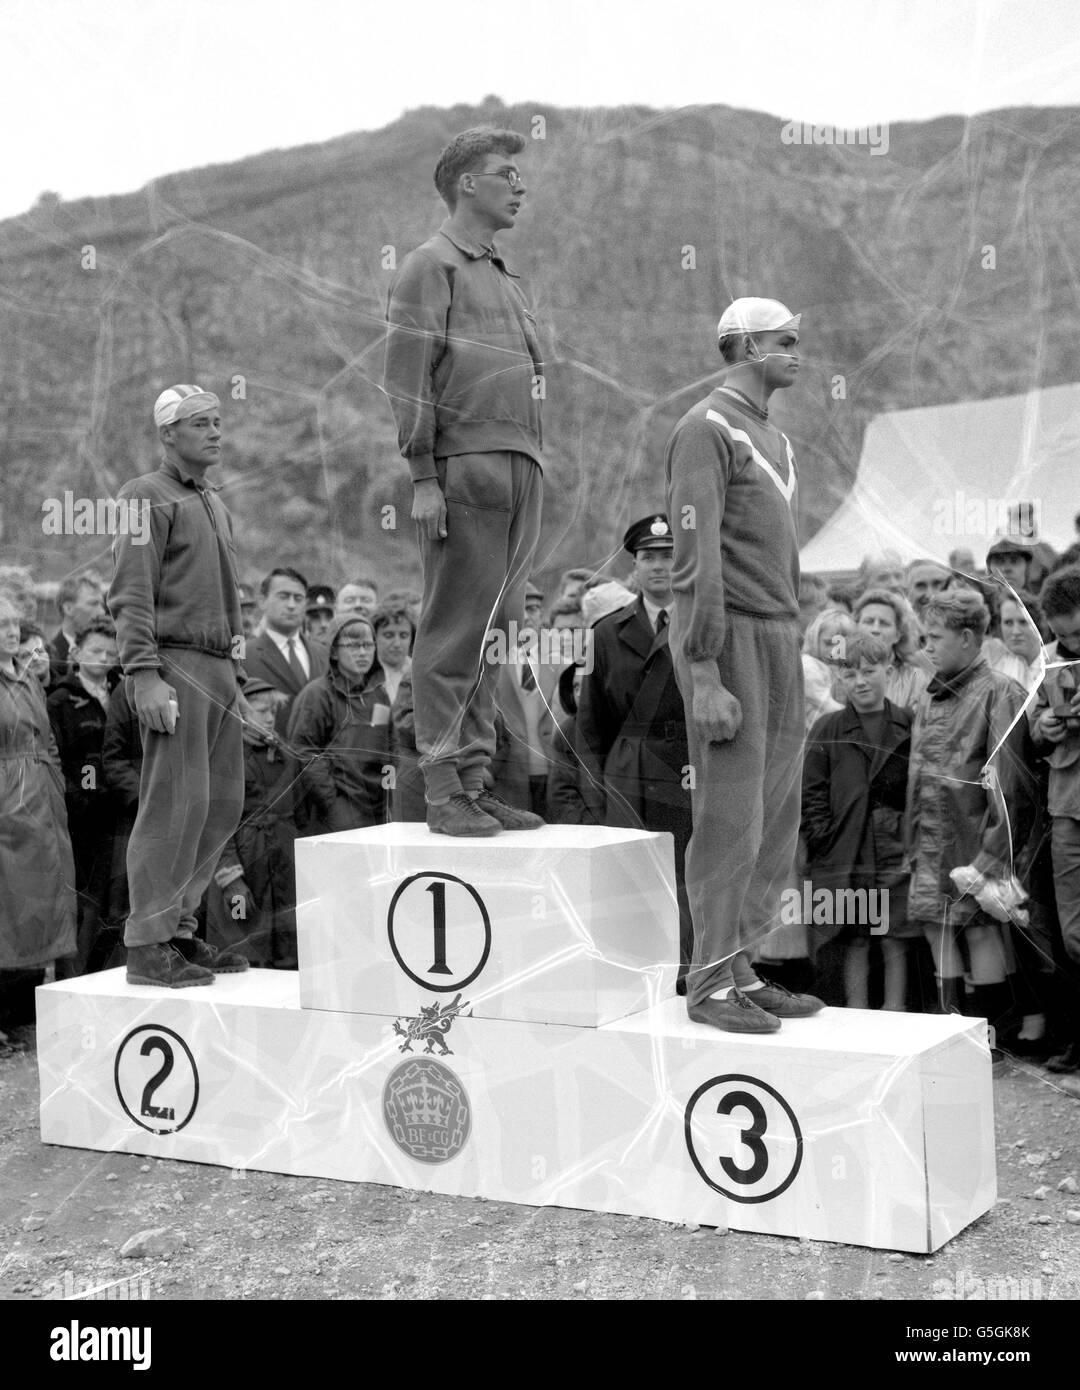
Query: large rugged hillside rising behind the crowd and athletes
[272, 270]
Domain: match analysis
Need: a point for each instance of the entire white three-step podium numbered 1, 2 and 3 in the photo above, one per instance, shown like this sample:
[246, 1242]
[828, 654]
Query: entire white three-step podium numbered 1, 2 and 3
[412, 1049]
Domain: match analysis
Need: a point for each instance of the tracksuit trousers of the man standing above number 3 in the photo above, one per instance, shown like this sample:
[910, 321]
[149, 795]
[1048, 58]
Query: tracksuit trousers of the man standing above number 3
[747, 799]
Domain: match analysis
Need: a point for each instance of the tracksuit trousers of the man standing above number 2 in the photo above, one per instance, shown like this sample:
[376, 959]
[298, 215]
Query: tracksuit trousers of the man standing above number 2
[191, 799]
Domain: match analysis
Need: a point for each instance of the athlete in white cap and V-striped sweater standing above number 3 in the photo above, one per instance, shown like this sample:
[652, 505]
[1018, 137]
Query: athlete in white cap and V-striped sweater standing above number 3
[735, 637]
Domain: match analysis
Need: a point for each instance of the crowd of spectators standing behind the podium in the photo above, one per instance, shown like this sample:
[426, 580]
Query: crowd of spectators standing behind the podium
[917, 678]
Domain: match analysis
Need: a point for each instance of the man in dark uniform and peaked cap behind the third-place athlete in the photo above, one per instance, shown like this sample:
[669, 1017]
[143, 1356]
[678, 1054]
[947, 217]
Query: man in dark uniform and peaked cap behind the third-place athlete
[630, 714]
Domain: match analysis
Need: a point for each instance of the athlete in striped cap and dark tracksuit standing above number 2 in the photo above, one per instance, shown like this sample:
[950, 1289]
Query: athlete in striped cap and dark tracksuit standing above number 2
[177, 607]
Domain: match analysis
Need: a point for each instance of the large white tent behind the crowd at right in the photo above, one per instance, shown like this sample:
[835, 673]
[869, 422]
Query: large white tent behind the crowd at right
[949, 477]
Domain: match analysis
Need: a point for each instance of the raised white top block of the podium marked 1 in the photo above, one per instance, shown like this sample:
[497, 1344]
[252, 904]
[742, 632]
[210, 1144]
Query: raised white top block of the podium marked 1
[573, 925]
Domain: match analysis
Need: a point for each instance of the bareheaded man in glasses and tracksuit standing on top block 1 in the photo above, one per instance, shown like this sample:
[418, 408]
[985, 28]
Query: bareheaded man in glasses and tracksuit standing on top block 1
[465, 379]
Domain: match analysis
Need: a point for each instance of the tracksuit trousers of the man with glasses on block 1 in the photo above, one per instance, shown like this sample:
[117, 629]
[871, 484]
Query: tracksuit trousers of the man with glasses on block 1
[475, 583]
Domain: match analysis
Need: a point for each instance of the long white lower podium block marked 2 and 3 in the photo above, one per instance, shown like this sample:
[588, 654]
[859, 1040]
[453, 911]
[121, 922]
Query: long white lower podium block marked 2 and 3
[872, 1129]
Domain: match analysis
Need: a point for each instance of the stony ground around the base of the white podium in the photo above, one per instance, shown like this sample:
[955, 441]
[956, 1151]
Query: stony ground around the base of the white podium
[66, 1217]
